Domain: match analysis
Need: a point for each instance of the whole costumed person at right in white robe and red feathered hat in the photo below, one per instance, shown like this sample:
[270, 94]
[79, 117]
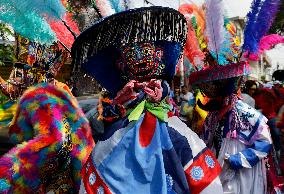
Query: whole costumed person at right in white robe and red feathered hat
[237, 133]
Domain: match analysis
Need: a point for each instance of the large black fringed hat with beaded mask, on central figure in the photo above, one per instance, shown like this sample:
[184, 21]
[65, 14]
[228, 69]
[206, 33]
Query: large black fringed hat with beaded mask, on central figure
[139, 44]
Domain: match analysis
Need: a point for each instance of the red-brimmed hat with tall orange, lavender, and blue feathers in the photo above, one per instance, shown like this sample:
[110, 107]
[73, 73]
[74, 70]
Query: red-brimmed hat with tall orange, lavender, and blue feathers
[215, 52]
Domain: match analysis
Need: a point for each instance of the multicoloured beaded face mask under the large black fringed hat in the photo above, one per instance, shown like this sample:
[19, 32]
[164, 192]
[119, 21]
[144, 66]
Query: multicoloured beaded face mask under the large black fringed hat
[141, 61]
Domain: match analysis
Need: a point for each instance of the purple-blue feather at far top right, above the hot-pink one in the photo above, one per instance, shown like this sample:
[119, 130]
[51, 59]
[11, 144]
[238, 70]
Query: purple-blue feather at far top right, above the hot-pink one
[266, 17]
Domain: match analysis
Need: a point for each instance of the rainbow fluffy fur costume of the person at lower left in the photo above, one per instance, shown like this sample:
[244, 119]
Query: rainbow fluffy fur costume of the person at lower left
[54, 140]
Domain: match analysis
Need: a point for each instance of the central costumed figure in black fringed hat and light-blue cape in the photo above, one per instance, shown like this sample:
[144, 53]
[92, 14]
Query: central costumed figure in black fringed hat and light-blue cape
[145, 150]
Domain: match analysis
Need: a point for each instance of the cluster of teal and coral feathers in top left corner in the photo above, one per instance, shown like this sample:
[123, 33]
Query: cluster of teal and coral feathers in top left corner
[44, 21]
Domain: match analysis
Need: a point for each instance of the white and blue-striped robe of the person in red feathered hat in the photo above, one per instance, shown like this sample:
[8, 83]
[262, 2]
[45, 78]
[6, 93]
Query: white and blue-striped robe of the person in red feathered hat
[242, 138]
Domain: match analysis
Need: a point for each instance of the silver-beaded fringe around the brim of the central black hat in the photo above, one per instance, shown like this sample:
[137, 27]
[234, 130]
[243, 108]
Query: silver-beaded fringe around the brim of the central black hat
[137, 25]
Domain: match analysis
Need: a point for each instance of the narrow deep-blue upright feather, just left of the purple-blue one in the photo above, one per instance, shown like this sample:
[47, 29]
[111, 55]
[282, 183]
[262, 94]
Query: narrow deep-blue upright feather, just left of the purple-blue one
[250, 41]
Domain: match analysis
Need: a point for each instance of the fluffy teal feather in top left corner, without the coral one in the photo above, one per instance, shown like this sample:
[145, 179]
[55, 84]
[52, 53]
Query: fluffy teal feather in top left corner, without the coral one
[29, 24]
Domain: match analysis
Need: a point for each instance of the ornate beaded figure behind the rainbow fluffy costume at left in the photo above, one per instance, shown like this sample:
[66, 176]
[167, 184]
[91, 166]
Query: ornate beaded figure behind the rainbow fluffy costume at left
[37, 63]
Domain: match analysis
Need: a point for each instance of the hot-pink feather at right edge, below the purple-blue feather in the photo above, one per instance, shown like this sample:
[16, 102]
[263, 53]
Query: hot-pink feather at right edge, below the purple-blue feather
[266, 43]
